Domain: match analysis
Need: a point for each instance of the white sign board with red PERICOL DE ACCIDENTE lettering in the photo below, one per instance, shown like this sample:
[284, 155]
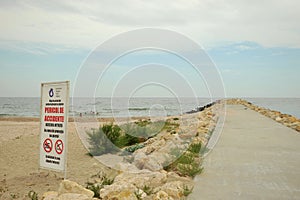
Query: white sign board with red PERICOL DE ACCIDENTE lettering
[54, 122]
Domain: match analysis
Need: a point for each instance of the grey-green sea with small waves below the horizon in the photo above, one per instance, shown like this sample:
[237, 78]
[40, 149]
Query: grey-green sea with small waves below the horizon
[135, 107]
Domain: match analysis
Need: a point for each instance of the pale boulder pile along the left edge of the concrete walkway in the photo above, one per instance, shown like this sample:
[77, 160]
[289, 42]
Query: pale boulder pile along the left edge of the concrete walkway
[143, 175]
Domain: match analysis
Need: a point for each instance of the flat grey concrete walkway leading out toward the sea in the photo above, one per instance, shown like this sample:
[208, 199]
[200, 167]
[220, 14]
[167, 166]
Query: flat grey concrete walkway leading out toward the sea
[255, 158]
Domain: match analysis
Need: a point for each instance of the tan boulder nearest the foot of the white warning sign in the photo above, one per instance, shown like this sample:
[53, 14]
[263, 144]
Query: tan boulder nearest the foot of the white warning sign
[67, 186]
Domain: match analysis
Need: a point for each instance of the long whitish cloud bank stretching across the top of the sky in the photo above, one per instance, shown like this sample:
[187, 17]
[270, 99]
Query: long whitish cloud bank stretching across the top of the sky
[75, 23]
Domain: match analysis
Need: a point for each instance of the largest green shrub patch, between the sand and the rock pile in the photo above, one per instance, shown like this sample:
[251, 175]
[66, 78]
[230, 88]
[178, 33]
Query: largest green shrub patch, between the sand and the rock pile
[109, 138]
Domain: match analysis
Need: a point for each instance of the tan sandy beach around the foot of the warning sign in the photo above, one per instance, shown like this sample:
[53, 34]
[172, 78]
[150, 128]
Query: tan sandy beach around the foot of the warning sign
[19, 160]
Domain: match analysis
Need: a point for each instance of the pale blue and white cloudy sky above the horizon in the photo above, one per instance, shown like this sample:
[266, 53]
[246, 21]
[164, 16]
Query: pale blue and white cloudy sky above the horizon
[254, 45]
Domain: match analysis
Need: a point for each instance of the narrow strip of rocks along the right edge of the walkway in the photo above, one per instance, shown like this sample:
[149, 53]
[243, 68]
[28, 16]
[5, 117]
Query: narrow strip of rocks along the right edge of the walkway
[285, 119]
